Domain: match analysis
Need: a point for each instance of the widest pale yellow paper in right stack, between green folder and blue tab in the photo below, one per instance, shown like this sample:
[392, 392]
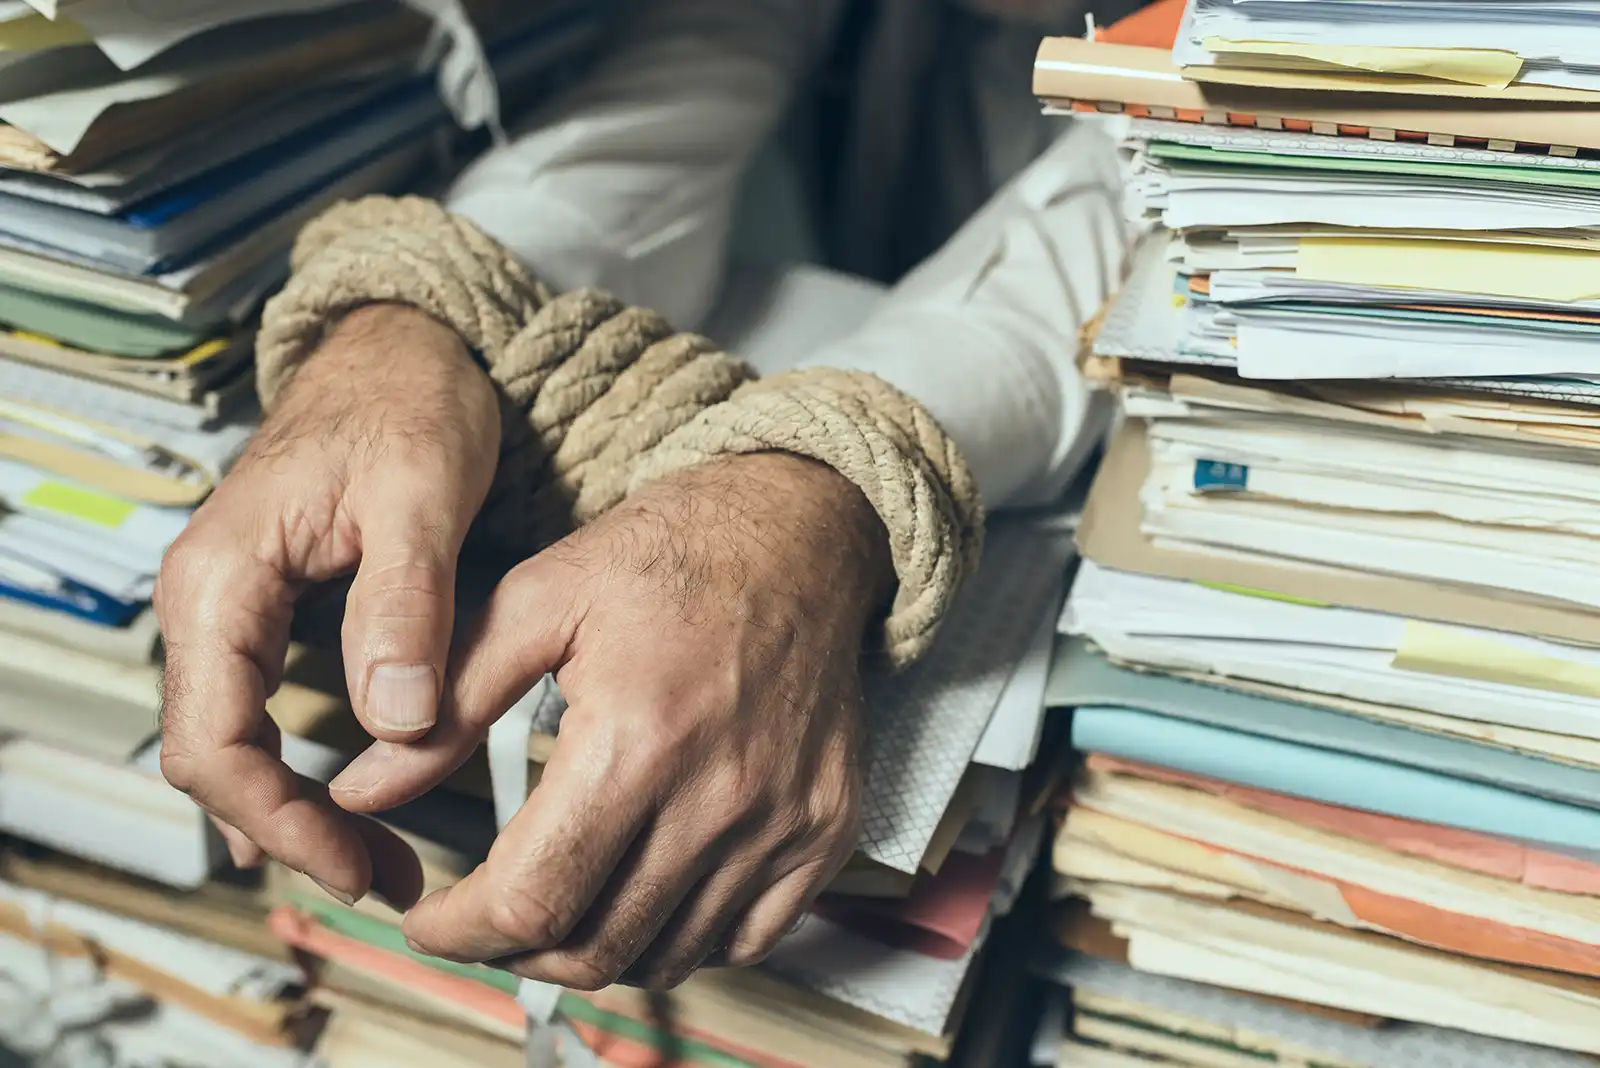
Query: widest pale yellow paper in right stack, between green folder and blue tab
[1514, 271]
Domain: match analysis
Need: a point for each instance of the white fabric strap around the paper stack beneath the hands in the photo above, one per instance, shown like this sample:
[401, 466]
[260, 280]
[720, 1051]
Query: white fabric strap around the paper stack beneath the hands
[553, 1043]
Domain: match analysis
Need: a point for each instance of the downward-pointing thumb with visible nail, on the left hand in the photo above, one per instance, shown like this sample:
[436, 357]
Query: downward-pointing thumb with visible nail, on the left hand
[401, 613]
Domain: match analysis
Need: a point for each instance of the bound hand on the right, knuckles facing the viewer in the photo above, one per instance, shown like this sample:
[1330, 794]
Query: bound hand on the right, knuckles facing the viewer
[705, 787]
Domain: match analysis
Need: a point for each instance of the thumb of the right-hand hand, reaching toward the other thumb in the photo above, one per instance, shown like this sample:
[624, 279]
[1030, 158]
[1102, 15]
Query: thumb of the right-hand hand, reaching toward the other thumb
[526, 634]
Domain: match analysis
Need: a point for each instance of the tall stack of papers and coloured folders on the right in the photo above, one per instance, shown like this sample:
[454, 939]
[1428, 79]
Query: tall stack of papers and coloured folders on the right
[1332, 648]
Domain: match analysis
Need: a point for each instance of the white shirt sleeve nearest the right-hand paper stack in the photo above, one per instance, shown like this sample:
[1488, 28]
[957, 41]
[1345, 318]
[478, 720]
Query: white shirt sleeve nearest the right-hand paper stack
[985, 332]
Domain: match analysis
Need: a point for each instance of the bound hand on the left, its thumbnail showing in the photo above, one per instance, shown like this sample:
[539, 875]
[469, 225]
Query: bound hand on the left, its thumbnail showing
[375, 461]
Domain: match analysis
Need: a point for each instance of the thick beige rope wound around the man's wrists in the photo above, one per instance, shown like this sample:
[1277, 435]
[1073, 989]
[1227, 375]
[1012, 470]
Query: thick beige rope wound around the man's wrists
[601, 399]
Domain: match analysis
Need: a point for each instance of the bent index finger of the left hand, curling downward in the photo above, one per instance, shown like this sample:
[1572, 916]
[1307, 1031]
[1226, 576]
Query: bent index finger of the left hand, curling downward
[225, 623]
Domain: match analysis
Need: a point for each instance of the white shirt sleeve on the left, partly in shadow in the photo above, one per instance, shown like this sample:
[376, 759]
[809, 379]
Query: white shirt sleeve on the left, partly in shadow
[630, 181]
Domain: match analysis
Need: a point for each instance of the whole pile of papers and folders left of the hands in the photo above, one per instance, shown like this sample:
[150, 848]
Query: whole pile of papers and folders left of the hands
[156, 164]
